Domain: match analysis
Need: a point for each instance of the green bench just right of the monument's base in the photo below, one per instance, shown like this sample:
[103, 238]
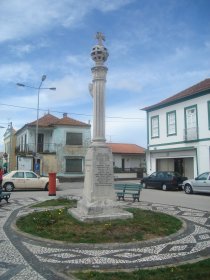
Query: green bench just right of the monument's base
[128, 190]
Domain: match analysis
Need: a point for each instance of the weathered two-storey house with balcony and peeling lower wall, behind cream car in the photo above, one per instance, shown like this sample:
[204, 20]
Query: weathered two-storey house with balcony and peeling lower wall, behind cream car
[61, 146]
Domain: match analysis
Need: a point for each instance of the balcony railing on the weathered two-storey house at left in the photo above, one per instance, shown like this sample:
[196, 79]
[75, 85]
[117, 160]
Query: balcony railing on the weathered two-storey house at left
[41, 148]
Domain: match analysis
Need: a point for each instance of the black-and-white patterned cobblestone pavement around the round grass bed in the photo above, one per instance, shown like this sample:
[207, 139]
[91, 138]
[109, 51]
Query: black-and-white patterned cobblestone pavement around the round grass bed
[22, 257]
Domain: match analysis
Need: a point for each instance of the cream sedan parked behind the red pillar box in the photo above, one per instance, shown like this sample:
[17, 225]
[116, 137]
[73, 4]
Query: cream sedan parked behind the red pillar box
[20, 179]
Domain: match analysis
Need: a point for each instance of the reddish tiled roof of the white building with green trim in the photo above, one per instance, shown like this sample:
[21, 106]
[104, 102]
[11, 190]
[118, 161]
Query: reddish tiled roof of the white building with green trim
[198, 88]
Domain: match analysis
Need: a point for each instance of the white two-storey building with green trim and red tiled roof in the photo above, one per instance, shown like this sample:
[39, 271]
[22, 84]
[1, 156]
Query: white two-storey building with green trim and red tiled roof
[178, 132]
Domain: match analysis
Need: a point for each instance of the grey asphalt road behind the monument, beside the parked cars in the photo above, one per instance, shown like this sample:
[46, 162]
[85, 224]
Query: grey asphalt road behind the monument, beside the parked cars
[177, 198]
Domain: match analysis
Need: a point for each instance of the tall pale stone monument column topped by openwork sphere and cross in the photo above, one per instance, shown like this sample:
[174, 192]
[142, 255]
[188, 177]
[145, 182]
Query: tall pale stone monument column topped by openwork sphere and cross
[99, 199]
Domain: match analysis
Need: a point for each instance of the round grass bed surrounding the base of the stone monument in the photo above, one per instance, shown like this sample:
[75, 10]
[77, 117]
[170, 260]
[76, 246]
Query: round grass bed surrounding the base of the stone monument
[59, 225]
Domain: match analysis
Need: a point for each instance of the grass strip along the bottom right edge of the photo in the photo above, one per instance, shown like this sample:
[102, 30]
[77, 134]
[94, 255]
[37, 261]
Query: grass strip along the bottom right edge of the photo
[195, 271]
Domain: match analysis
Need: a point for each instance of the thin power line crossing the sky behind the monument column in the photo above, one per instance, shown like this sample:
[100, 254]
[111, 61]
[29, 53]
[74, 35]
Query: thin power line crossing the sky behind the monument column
[59, 112]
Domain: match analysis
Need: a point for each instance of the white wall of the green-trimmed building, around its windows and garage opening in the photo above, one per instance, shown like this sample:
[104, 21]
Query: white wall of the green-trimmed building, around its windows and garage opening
[199, 160]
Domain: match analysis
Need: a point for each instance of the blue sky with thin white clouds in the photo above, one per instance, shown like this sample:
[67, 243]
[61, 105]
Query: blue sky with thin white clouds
[156, 49]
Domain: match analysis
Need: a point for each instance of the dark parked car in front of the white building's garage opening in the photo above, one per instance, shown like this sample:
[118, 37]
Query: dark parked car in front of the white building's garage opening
[165, 180]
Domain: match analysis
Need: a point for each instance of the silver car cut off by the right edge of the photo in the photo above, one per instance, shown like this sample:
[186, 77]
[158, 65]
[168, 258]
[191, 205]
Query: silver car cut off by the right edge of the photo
[199, 184]
